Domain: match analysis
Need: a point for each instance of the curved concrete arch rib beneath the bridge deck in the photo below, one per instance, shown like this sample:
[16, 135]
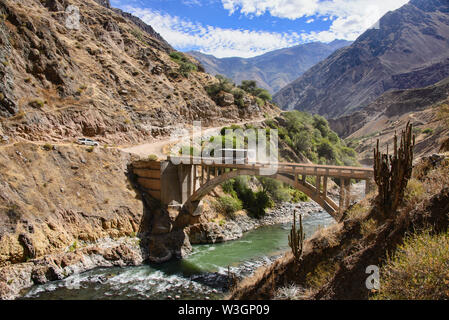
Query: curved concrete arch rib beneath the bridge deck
[311, 191]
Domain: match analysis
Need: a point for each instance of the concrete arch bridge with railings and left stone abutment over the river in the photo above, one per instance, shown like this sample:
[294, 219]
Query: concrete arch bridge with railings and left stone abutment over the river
[183, 182]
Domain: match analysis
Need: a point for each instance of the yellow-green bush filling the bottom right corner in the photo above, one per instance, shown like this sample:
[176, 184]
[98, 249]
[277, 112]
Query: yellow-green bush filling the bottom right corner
[419, 270]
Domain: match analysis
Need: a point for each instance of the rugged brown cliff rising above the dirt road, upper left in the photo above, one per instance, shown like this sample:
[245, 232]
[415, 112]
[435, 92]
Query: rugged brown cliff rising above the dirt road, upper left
[111, 79]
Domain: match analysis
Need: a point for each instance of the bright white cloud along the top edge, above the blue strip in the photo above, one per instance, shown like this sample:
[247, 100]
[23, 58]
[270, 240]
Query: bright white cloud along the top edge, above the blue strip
[350, 18]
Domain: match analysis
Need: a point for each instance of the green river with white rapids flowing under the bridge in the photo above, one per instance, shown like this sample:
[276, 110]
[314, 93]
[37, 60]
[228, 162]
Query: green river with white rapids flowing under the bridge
[202, 275]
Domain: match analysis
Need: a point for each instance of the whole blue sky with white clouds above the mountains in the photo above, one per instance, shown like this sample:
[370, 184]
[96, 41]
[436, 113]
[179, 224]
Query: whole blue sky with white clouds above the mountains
[246, 28]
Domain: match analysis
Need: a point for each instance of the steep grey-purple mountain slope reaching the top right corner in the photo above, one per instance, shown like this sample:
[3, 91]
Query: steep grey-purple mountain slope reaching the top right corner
[410, 50]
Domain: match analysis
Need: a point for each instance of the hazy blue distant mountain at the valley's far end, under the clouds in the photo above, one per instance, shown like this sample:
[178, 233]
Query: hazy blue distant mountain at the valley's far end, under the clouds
[272, 70]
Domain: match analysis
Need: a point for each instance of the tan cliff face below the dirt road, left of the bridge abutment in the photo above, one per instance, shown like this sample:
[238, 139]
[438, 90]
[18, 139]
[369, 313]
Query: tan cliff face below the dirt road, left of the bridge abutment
[51, 197]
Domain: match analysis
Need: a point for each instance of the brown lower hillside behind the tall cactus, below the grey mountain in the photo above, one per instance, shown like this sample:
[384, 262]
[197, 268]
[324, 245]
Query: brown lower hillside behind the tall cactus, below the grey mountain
[390, 113]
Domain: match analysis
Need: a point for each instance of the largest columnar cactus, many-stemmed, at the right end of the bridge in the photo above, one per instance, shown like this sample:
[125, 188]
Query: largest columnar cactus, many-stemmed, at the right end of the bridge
[392, 172]
